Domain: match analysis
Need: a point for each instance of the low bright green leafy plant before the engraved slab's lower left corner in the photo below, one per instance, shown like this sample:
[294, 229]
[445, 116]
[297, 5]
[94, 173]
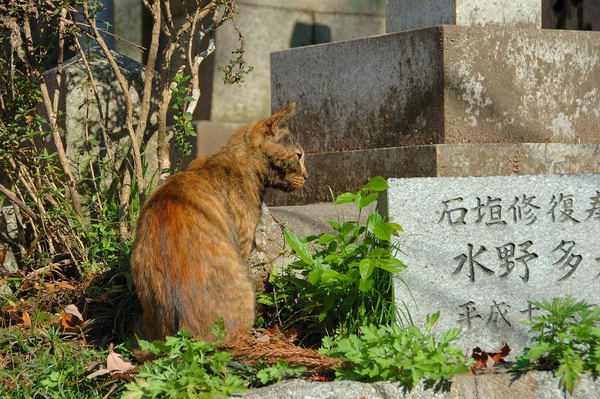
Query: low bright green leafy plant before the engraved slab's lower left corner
[389, 352]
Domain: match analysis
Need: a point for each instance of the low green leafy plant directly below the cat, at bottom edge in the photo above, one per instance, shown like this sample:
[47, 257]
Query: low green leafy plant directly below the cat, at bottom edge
[189, 368]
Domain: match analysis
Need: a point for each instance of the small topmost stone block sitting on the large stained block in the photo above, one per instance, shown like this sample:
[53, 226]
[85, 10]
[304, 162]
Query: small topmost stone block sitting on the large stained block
[415, 14]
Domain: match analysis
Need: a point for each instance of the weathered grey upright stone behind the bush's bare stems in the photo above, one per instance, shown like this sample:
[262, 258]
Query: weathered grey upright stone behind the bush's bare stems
[83, 123]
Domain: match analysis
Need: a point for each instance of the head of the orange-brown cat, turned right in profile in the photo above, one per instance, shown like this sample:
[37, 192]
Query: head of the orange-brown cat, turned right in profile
[286, 170]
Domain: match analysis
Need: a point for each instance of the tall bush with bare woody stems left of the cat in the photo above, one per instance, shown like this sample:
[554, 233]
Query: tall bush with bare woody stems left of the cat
[79, 173]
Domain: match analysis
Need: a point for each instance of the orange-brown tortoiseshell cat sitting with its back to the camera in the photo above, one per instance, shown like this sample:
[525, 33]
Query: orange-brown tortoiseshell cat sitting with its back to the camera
[195, 231]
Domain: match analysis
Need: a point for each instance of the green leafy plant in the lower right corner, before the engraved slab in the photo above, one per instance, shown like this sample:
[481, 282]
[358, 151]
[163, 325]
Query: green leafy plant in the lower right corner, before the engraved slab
[567, 340]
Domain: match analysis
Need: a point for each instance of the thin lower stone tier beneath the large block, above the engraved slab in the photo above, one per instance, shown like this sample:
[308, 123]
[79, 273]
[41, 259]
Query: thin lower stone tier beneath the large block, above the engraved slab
[350, 170]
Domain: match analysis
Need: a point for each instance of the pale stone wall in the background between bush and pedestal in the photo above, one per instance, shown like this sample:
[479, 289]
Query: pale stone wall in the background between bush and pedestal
[269, 26]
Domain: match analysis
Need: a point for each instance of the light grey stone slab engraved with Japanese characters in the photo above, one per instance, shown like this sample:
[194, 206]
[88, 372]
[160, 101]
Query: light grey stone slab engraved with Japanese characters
[479, 249]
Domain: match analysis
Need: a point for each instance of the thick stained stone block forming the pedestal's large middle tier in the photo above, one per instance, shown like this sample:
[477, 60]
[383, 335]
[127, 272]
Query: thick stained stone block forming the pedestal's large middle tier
[443, 85]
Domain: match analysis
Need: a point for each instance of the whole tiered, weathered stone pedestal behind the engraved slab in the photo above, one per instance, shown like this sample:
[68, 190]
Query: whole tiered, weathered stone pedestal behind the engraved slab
[479, 97]
